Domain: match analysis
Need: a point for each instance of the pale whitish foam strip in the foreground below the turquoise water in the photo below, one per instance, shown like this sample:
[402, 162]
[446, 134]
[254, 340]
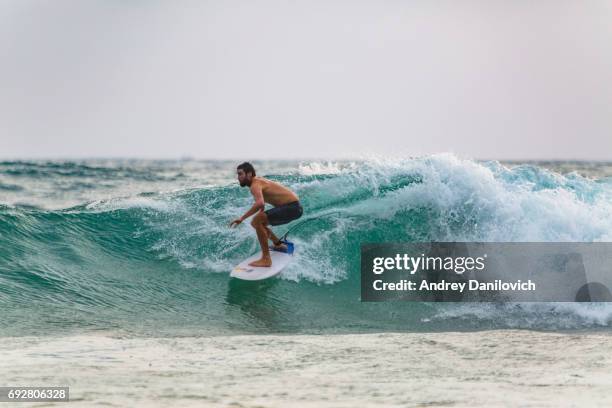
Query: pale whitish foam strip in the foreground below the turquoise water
[470, 369]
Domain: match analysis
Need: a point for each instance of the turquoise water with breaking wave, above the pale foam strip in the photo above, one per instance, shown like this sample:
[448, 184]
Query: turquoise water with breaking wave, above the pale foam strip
[142, 247]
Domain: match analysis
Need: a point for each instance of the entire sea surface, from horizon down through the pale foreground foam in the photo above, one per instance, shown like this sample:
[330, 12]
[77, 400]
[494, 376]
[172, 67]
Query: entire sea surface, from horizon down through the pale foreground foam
[114, 282]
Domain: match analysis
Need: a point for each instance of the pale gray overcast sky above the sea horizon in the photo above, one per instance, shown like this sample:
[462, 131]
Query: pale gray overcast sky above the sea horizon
[302, 79]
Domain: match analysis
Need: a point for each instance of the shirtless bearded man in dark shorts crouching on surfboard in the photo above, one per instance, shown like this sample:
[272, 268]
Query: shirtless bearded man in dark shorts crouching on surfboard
[286, 208]
